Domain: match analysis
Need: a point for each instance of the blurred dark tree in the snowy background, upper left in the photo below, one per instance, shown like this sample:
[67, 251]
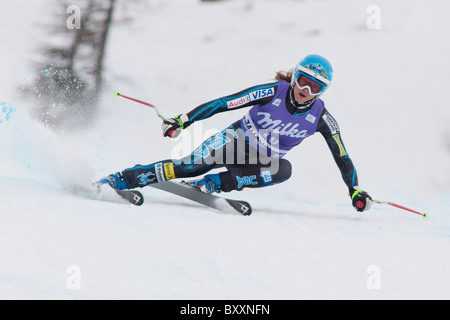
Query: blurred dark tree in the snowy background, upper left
[68, 77]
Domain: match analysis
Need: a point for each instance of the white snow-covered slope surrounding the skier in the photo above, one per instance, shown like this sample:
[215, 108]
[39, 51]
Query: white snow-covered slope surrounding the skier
[304, 240]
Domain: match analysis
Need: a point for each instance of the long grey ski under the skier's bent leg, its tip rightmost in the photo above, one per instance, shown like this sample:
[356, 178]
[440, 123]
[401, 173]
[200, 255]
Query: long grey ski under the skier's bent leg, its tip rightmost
[209, 200]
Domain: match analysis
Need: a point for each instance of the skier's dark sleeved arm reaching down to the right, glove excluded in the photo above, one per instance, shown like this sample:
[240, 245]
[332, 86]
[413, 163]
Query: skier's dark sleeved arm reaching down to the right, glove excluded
[329, 129]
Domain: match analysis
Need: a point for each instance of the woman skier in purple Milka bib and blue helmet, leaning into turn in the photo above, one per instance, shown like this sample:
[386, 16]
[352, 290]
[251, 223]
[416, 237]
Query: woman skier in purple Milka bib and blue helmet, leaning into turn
[251, 149]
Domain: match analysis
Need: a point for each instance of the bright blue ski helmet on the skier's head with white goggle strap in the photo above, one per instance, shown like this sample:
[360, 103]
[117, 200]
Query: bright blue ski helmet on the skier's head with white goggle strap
[316, 68]
